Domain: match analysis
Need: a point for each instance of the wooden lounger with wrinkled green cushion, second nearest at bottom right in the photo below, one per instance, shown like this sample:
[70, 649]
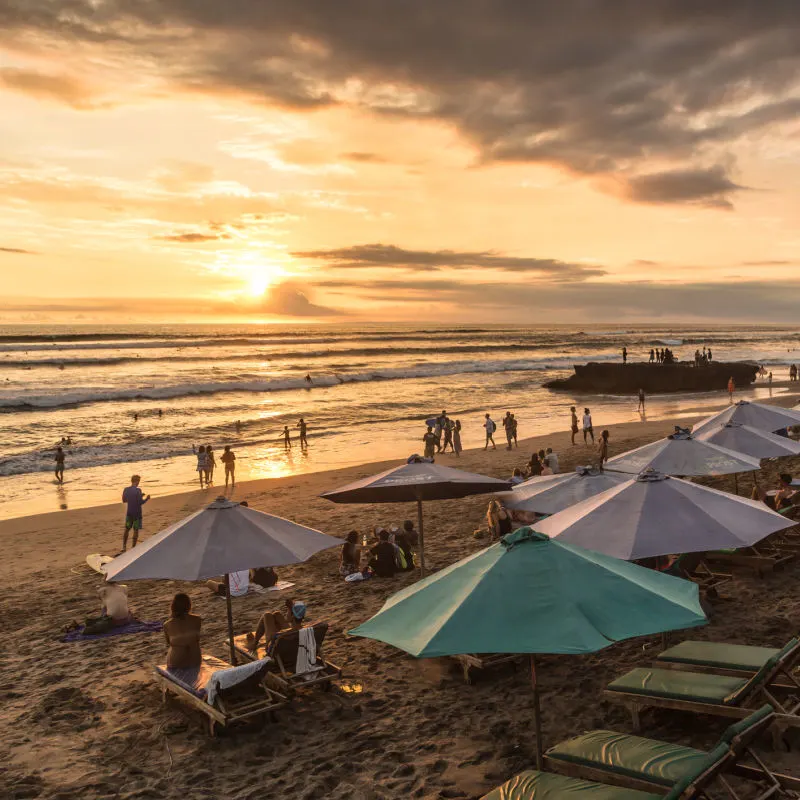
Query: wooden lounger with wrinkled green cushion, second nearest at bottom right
[653, 766]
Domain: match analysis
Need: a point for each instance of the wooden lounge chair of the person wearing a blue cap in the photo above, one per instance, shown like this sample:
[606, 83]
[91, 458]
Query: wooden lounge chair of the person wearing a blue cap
[282, 650]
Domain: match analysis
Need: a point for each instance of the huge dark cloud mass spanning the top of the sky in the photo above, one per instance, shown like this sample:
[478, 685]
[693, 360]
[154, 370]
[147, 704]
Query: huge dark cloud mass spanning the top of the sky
[597, 87]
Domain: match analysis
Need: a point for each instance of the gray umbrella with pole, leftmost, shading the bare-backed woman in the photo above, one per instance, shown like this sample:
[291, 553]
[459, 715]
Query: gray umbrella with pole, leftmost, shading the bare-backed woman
[221, 538]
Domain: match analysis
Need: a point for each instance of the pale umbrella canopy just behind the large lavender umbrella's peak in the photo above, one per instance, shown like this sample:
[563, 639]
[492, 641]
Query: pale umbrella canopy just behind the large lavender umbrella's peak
[682, 454]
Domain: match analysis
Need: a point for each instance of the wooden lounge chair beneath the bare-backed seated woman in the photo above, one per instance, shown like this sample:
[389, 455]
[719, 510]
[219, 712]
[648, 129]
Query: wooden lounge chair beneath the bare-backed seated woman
[247, 699]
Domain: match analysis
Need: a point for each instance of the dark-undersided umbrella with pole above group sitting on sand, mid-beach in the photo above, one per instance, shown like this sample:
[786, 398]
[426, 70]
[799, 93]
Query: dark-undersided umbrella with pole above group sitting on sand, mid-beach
[417, 482]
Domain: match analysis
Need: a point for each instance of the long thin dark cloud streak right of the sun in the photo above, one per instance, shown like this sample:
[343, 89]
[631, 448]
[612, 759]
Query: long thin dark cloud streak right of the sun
[389, 255]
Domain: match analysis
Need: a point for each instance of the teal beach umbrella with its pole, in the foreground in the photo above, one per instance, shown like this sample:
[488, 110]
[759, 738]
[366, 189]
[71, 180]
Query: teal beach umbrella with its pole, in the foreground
[531, 594]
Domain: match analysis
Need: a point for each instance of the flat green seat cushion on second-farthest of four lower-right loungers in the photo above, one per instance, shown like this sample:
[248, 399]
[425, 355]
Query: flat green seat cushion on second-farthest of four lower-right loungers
[694, 686]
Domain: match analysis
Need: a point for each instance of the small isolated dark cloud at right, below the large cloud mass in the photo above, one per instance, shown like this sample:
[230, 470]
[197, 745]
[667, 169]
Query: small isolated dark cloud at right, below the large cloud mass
[708, 187]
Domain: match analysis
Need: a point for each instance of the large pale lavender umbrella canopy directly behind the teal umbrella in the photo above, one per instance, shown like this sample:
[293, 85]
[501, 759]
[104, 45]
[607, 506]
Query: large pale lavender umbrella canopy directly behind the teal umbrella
[655, 515]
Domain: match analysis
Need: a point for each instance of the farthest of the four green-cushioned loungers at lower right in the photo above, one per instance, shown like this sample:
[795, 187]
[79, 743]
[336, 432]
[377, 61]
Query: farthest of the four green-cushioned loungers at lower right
[719, 658]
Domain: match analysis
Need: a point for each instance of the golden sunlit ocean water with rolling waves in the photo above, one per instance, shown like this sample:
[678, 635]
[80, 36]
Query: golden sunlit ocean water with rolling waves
[371, 390]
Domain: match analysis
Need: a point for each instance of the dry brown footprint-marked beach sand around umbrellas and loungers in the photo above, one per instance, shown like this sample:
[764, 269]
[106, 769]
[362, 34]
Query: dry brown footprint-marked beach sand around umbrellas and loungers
[86, 720]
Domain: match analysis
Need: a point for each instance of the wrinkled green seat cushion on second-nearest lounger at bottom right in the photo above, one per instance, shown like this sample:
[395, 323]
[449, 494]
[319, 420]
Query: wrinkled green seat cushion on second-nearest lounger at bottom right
[635, 756]
